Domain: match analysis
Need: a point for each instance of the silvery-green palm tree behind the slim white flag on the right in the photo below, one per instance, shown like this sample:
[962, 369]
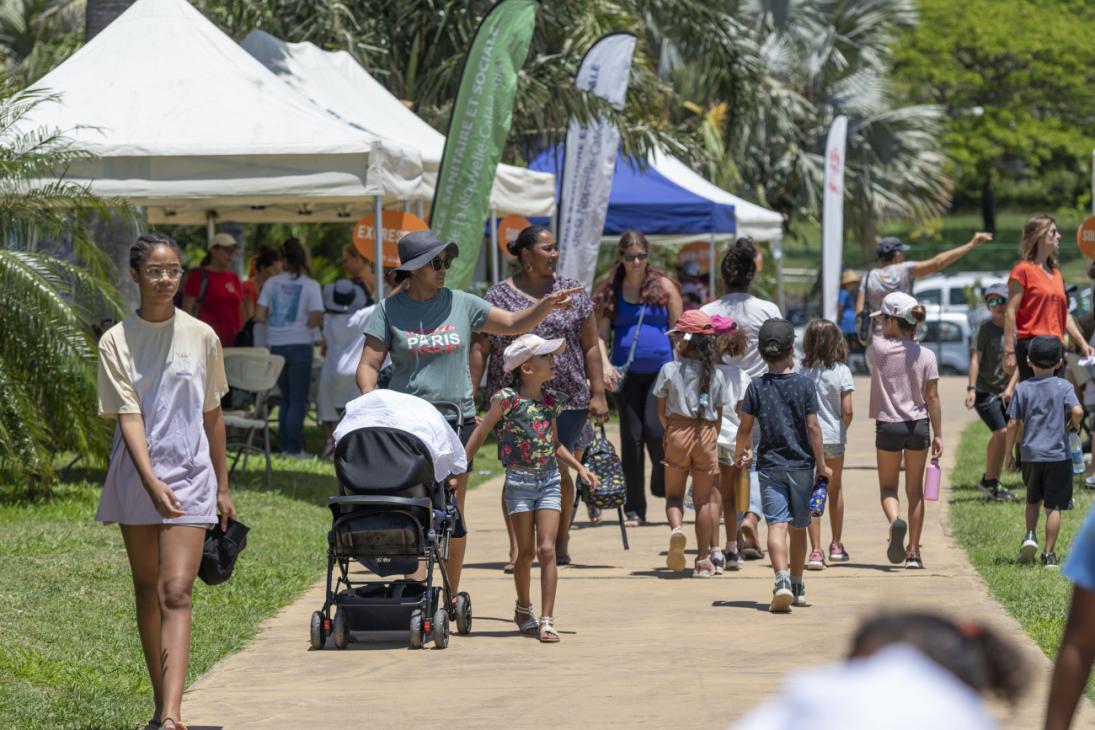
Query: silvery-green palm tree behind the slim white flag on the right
[819, 61]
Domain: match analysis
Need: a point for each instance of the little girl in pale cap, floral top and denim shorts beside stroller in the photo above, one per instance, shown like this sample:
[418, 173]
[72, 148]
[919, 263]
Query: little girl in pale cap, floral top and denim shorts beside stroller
[529, 447]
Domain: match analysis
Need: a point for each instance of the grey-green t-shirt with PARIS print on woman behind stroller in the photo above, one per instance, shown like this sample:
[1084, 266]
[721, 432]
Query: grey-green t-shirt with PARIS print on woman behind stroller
[429, 344]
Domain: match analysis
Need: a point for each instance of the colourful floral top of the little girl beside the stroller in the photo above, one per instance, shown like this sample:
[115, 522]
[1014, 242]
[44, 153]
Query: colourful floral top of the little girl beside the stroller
[525, 436]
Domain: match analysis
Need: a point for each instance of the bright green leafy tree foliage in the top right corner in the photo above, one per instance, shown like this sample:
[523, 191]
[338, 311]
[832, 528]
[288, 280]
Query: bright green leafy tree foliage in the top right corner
[1017, 80]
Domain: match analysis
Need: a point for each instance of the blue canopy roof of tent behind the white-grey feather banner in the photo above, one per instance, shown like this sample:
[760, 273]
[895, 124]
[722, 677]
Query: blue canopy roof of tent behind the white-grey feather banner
[646, 200]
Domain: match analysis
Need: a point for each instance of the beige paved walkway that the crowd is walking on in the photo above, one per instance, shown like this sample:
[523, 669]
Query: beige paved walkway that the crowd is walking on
[641, 647]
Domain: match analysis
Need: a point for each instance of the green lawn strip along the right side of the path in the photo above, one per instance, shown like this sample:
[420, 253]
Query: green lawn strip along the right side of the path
[992, 535]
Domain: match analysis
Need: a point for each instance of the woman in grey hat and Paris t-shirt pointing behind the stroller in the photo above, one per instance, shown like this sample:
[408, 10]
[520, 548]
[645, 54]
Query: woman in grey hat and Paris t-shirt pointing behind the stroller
[428, 330]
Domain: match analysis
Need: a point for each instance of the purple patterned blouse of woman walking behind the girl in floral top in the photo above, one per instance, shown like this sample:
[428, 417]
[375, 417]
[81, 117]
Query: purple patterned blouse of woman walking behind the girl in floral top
[570, 380]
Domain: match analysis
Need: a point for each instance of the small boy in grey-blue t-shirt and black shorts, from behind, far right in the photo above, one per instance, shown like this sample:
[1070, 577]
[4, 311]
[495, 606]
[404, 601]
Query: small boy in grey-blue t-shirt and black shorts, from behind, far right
[1040, 409]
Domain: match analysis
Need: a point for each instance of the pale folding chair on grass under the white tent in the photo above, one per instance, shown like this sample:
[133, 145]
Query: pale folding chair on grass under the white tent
[256, 372]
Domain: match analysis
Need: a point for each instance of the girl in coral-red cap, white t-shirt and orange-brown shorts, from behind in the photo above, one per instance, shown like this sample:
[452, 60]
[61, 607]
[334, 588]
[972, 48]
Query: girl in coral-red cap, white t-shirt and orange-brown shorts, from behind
[691, 396]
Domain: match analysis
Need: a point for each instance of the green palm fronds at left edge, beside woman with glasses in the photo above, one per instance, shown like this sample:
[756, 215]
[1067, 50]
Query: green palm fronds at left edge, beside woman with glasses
[54, 284]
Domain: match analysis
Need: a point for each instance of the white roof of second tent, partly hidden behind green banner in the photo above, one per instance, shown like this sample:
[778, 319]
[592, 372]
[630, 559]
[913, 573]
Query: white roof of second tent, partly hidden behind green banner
[340, 86]
